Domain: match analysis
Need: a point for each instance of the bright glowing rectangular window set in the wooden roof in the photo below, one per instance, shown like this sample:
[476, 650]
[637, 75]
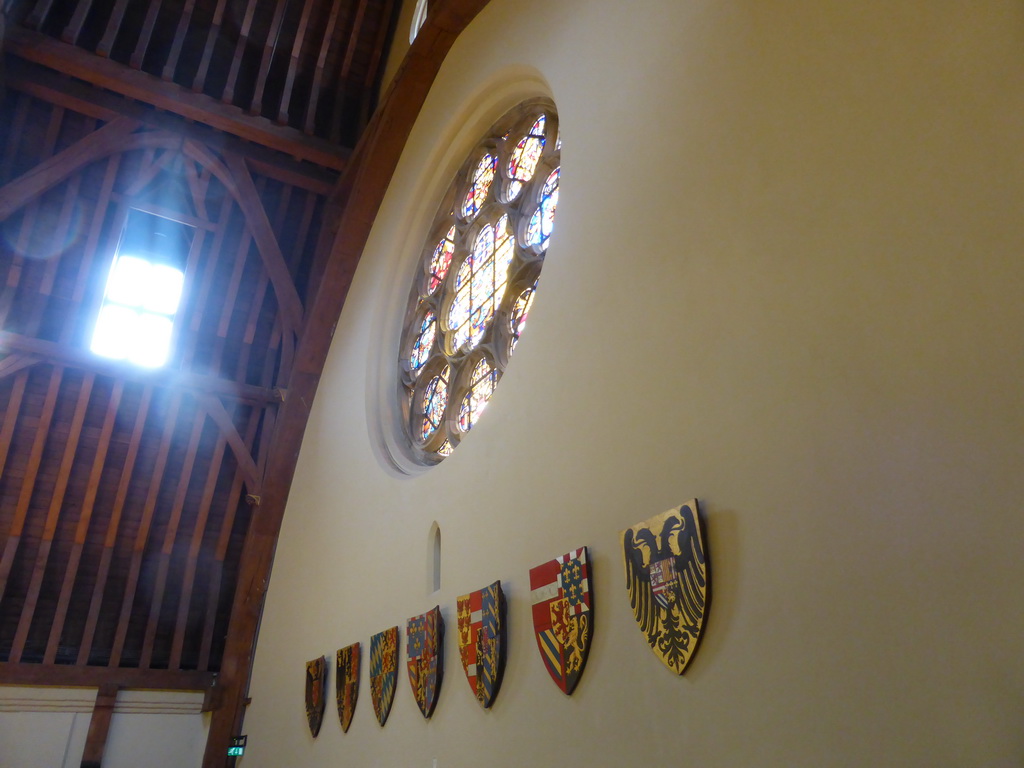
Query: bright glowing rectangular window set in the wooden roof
[136, 322]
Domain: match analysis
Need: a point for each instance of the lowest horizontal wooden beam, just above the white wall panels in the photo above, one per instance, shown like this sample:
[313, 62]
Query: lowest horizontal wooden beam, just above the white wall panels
[66, 675]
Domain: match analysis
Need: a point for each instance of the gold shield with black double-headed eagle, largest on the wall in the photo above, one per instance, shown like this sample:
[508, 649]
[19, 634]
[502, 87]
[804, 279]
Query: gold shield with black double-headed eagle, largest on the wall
[668, 580]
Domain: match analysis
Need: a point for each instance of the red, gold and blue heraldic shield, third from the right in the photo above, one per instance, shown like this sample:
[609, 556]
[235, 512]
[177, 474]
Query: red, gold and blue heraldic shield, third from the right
[482, 641]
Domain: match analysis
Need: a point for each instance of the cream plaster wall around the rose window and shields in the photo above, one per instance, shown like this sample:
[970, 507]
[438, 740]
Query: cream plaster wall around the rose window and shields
[787, 280]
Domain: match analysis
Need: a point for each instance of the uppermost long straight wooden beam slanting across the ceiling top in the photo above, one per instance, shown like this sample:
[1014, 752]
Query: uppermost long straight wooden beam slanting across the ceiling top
[40, 50]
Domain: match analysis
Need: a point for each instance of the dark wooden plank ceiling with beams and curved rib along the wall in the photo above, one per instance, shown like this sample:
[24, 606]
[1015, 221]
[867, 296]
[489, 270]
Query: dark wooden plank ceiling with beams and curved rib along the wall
[140, 509]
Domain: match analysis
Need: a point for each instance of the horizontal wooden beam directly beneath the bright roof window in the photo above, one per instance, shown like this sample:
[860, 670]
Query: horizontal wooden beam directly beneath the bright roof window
[52, 352]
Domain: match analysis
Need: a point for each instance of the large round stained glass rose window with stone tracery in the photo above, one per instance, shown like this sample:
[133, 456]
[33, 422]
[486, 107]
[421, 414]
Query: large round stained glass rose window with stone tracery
[482, 265]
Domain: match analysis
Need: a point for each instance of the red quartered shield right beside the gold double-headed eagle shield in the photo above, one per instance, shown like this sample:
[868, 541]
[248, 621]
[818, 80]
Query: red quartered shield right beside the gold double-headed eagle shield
[563, 618]
